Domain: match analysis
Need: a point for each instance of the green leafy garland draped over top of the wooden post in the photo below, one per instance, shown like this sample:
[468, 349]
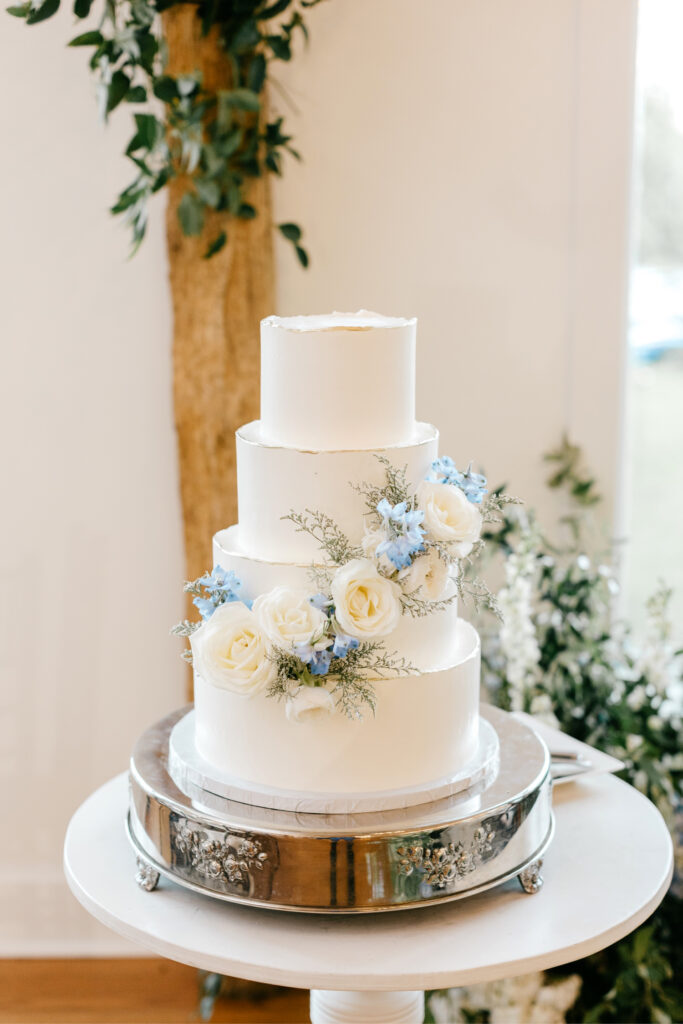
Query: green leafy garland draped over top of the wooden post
[219, 141]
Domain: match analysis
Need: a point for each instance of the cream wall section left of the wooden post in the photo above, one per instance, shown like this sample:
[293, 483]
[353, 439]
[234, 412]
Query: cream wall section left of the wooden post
[91, 559]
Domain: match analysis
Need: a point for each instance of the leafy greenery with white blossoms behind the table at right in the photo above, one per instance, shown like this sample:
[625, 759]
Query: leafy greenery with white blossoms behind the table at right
[591, 676]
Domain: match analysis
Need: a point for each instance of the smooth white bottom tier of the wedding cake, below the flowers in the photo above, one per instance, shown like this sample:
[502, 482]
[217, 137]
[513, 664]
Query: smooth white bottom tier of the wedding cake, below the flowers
[425, 731]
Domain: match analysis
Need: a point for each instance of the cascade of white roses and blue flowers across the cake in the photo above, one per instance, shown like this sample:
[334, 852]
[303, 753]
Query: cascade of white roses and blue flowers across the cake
[320, 649]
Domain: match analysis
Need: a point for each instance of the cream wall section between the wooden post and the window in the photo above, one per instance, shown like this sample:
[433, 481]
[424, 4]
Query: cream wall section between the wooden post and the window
[467, 161]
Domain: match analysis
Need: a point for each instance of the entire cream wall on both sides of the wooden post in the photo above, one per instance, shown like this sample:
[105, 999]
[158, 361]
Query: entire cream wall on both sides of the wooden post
[465, 160]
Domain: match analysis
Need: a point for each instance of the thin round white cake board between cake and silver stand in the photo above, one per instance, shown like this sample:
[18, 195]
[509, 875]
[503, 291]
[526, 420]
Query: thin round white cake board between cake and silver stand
[196, 778]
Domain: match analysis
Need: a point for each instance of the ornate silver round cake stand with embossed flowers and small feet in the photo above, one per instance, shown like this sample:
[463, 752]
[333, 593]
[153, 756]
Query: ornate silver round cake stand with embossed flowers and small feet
[346, 864]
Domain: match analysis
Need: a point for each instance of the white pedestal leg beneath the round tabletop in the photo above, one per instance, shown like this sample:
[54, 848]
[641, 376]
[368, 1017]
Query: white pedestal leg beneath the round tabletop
[372, 1008]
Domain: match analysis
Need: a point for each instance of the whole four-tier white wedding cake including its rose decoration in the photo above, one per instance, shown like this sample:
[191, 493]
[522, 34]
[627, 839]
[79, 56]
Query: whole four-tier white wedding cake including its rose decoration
[331, 659]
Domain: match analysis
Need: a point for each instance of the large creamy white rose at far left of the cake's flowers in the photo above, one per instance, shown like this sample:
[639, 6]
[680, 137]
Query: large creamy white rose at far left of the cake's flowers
[231, 652]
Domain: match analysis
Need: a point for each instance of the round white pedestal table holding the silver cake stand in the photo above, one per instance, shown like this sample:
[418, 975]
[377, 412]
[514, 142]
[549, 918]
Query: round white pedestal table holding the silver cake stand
[609, 868]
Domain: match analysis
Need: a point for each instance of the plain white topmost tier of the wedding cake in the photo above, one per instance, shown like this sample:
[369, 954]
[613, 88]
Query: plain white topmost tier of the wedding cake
[338, 381]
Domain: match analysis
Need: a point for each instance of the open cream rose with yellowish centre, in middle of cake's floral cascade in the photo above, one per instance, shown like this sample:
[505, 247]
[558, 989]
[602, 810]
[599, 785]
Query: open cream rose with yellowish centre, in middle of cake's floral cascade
[367, 605]
